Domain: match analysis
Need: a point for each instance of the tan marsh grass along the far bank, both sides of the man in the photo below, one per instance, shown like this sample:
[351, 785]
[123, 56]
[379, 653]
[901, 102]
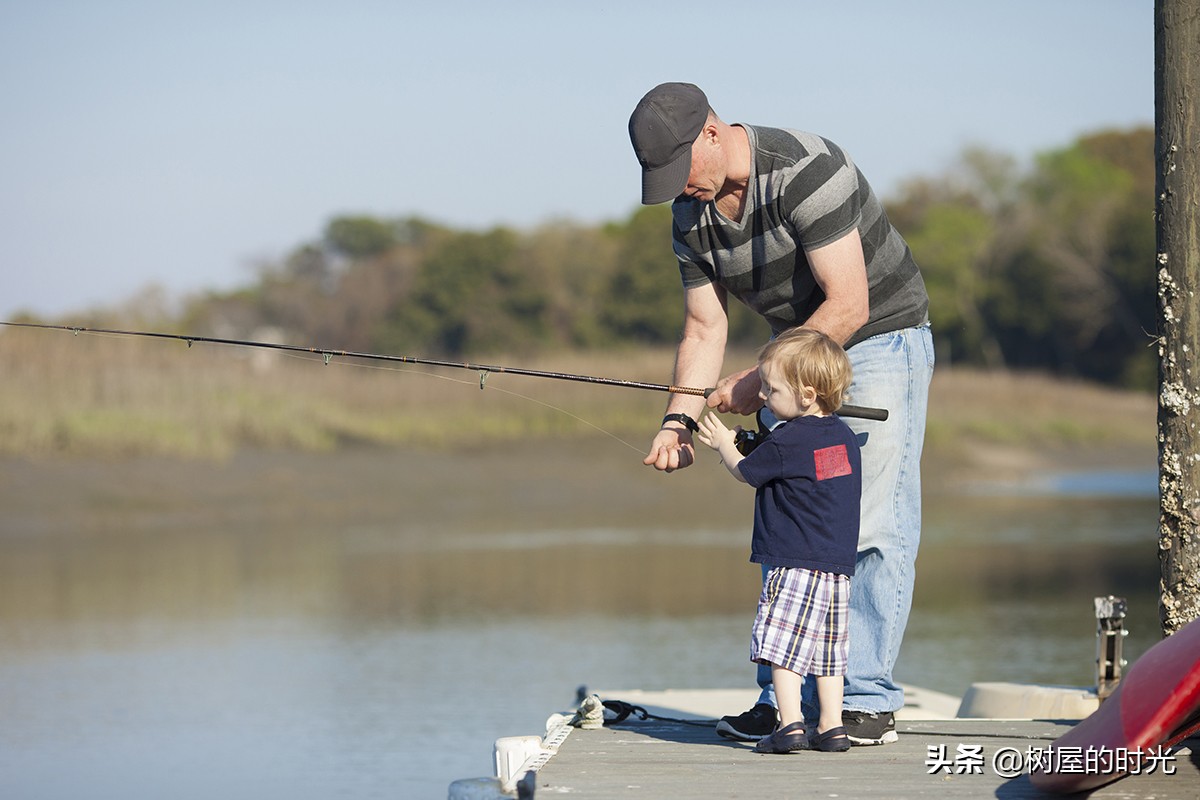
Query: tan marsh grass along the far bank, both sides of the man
[92, 395]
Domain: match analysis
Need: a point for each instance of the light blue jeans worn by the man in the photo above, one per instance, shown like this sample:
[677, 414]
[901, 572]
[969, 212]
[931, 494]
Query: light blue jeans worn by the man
[892, 371]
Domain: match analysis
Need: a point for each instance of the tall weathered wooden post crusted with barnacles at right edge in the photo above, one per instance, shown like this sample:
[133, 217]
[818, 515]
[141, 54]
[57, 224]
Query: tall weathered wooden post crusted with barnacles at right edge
[1178, 206]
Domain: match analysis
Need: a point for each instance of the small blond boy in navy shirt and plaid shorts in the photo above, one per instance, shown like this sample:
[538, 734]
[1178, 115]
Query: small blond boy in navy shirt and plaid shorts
[808, 482]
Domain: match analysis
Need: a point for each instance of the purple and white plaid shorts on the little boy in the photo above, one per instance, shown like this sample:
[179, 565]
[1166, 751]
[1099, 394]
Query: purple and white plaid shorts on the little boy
[802, 623]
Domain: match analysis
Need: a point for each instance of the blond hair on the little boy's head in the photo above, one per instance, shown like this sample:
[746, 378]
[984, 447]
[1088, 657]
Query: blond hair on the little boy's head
[805, 357]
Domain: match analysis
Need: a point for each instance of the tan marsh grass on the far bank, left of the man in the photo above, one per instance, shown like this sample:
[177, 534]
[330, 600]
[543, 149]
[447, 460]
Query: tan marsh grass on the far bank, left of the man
[118, 396]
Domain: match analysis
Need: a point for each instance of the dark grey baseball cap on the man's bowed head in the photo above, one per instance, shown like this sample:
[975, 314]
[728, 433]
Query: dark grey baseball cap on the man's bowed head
[663, 129]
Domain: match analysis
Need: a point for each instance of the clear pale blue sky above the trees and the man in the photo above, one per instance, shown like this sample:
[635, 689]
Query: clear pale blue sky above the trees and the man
[183, 143]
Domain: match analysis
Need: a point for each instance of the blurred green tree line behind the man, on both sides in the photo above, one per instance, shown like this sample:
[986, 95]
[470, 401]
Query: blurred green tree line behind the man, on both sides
[1047, 267]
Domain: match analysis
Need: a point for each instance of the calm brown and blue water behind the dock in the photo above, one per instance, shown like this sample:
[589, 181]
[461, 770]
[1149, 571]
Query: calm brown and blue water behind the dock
[367, 625]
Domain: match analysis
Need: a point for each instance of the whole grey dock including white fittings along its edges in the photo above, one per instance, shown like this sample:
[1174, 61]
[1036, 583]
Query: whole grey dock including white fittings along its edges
[670, 749]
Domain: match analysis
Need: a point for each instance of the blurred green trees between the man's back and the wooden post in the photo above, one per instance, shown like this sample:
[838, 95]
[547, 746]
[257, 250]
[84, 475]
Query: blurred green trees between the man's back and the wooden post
[1052, 269]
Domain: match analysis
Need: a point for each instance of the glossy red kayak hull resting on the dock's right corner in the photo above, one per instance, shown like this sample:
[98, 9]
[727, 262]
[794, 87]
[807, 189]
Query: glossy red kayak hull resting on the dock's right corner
[1156, 706]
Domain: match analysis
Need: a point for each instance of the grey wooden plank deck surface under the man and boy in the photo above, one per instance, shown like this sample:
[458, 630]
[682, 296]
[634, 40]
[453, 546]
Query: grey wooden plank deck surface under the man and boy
[663, 760]
